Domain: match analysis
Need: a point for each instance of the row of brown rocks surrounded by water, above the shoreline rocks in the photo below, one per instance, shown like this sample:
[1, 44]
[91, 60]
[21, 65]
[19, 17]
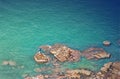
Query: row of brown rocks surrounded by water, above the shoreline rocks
[64, 53]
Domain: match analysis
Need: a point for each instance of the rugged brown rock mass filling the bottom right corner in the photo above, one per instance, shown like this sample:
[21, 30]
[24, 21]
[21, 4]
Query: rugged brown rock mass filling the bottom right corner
[110, 71]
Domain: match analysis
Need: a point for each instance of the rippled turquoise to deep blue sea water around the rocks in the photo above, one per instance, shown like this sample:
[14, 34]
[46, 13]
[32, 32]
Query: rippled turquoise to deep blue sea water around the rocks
[79, 24]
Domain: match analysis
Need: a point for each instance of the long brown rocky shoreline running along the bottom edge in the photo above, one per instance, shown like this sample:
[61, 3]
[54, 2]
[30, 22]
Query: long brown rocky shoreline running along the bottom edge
[108, 71]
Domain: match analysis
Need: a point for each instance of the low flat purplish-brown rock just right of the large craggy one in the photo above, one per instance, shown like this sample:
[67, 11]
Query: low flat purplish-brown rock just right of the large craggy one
[95, 53]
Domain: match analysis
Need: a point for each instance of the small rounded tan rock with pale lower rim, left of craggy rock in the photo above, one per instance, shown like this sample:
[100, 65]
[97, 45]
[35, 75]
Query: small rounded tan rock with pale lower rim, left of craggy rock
[41, 58]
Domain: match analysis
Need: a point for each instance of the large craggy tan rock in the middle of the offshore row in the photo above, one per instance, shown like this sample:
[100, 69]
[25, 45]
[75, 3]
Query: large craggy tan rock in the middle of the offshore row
[64, 53]
